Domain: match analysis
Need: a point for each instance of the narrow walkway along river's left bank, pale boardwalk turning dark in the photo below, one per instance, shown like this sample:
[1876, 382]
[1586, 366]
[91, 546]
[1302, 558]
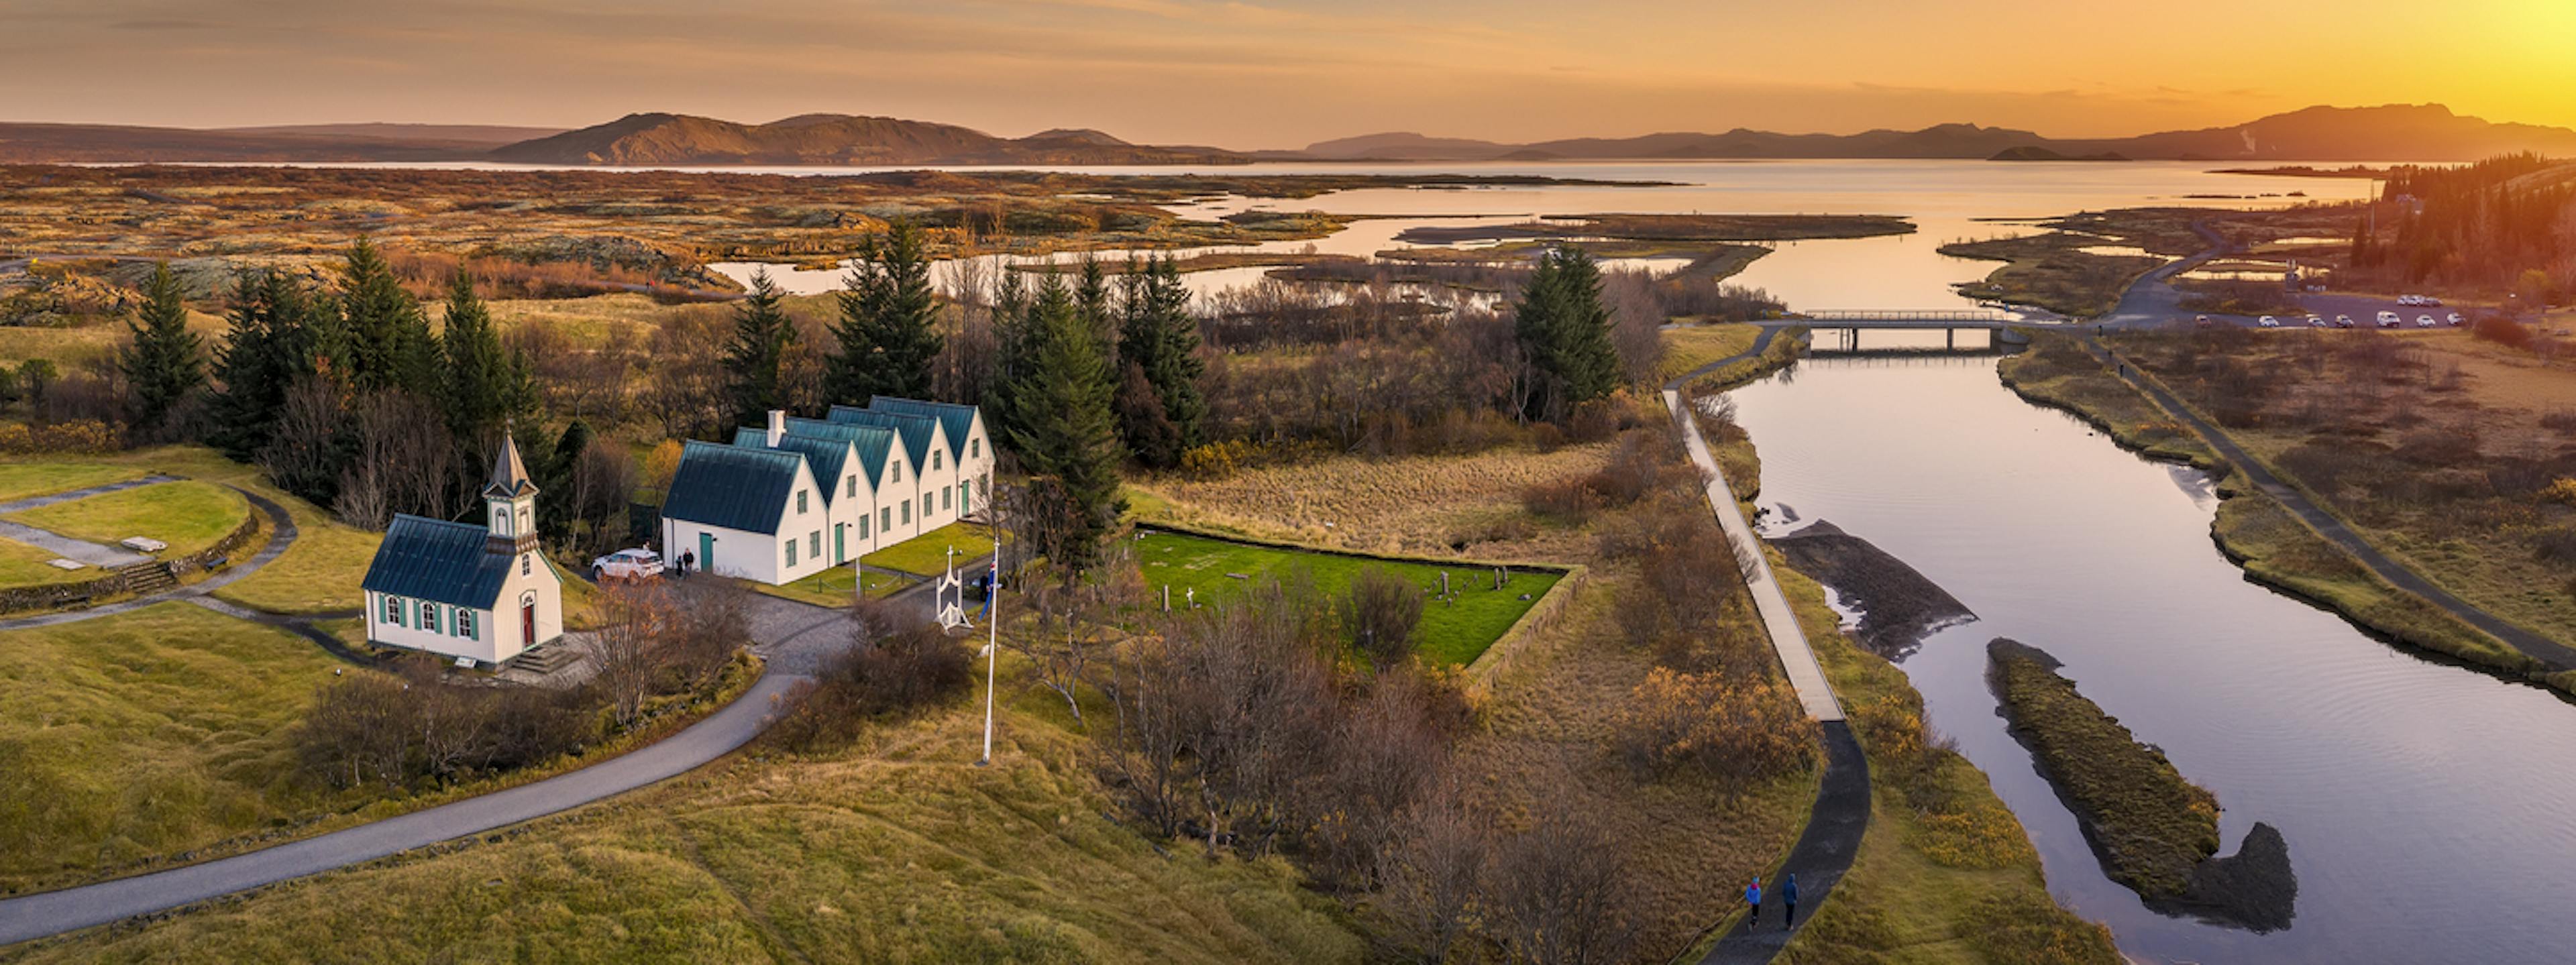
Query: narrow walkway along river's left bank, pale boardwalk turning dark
[1843, 799]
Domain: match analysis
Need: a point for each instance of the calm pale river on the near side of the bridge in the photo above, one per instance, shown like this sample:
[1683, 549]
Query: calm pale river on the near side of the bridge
[2425, 804]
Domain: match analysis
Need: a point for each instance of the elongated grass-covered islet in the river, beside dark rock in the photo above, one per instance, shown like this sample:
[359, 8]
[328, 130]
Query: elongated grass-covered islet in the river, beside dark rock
[2147, 822]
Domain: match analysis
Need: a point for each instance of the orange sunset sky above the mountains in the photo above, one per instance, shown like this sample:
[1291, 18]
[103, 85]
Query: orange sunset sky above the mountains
[1284, 73]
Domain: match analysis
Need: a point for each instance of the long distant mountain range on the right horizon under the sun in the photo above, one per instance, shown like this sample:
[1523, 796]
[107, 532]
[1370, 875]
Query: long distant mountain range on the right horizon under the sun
[2361, 135]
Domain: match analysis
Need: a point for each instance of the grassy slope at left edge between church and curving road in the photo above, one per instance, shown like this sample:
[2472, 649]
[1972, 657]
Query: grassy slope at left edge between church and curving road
[143, 735]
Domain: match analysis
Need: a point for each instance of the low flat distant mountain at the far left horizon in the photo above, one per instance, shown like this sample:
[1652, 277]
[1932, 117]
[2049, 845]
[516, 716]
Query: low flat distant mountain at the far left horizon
[323, 143]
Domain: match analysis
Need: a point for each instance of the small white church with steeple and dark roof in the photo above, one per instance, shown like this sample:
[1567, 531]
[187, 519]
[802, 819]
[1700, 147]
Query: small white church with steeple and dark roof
[468, 591]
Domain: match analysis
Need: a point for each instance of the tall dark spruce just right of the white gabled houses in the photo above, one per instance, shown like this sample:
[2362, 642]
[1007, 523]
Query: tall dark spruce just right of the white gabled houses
[1065, 434]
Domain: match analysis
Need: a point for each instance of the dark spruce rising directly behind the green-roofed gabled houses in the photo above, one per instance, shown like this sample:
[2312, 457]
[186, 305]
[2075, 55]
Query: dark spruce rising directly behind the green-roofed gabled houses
[887, 323]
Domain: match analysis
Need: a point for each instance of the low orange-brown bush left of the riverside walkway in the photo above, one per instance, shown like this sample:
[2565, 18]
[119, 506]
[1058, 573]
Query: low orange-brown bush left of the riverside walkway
[1738, 730]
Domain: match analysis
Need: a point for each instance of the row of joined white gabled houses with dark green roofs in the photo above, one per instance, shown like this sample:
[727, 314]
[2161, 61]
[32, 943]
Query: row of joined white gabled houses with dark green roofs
[805, 495]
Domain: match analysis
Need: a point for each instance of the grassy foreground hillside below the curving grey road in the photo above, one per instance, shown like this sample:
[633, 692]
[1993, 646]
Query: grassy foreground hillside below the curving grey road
[895, 850]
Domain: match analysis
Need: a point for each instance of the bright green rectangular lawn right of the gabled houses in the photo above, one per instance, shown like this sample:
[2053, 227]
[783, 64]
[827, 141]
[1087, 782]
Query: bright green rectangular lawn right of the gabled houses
[1452, 632]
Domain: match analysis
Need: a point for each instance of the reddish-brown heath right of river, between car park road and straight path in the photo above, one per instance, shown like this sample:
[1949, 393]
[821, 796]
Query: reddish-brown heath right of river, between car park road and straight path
[2436, 459]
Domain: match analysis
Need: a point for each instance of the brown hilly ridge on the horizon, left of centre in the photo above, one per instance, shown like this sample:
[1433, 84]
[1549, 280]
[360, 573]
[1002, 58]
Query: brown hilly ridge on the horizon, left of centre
[833, 140]
